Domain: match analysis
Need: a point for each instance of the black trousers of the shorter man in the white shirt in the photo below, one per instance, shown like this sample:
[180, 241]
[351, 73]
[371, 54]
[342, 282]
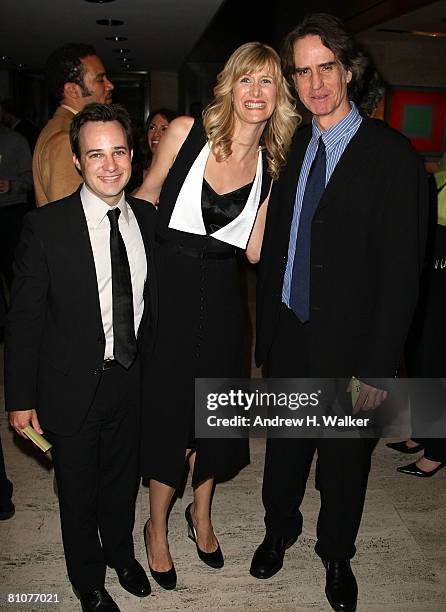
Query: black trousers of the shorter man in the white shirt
[97, 478]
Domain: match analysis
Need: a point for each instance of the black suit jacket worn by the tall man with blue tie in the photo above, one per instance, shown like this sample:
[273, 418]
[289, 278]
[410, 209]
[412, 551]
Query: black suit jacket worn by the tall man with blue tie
[367, 245]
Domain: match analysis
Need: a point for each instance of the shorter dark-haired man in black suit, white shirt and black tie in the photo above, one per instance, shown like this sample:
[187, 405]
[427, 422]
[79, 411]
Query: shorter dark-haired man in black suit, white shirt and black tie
[82, 319]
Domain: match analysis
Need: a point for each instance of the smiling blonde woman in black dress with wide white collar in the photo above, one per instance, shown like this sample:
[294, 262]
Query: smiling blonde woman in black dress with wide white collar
[212, 179]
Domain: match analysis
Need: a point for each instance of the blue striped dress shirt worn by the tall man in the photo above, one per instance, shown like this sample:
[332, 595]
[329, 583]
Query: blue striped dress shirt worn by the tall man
[336, 140]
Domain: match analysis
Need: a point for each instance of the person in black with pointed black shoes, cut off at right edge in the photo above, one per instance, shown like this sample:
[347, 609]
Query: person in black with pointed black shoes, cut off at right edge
[426, 348]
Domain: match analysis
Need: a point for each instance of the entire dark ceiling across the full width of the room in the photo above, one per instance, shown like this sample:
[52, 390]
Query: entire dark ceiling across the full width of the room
[163, 34]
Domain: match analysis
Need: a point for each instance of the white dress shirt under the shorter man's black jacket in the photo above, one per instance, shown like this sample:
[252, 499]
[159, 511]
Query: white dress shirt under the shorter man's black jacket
[98, 224]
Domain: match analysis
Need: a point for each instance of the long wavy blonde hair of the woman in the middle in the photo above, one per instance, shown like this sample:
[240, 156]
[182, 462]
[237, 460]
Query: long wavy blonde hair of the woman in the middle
[218, 116]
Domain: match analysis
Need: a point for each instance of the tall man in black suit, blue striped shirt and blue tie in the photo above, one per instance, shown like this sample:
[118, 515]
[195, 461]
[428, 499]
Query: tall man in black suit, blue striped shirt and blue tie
[337, 287]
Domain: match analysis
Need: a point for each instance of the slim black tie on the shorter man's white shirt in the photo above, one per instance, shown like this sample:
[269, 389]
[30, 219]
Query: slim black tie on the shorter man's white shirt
[124, 340]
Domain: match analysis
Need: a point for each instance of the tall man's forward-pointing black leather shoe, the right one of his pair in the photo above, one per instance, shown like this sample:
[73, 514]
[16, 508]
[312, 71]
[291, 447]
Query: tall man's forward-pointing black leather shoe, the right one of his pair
[341, 588]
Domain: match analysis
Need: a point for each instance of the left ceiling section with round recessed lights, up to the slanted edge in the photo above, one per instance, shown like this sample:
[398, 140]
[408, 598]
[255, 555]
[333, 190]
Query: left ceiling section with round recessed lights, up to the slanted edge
[160, 33]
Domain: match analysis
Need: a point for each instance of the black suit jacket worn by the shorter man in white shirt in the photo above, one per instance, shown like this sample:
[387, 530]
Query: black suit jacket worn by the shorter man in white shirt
[54, 335]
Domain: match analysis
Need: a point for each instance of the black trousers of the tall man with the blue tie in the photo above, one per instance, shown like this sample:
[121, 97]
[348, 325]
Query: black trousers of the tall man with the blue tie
[343, 465]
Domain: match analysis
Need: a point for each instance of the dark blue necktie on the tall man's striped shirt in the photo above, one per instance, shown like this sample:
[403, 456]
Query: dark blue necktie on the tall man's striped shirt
[300, 281]
